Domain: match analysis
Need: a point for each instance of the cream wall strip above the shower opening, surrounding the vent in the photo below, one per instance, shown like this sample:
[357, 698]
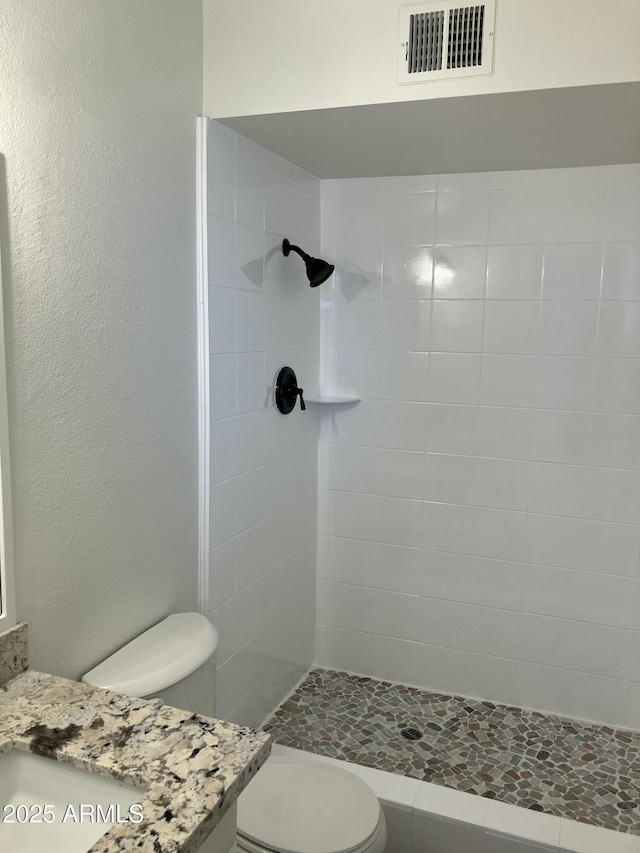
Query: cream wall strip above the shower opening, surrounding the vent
[286, 55]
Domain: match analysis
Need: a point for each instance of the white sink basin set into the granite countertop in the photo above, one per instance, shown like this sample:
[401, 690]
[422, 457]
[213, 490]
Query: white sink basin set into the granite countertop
[29, 780]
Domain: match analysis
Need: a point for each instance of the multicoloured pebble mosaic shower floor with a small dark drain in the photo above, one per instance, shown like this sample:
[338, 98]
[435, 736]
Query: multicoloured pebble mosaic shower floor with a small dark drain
[539, 761]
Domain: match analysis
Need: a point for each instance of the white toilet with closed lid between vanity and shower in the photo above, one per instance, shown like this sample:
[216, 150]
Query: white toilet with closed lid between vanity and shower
[295, 804]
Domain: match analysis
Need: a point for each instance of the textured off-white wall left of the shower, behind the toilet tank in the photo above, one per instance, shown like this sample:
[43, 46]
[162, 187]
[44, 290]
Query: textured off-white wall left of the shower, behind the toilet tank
[98, 103]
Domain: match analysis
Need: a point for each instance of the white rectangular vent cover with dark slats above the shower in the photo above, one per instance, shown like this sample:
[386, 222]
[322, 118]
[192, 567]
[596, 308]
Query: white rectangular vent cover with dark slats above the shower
[443, 40]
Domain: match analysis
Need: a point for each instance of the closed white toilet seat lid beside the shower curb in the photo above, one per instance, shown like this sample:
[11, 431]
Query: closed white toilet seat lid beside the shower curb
[307, 806]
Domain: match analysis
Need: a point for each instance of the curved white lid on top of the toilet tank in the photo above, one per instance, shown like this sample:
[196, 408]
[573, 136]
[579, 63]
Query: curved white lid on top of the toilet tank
[162, 656]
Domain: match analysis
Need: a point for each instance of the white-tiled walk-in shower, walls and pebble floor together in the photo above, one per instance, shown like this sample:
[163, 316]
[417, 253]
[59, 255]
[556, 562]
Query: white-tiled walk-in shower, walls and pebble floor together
[469, 525]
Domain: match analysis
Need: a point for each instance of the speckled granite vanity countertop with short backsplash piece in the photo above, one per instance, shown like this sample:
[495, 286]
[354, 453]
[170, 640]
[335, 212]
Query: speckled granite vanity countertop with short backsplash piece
[192, 768]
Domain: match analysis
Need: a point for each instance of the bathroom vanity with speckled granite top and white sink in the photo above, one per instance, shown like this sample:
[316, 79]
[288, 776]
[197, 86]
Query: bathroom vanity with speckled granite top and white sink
[87, 770]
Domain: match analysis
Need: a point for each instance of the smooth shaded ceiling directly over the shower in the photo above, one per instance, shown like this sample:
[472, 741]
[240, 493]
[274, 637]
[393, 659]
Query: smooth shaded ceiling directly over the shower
[578, 126]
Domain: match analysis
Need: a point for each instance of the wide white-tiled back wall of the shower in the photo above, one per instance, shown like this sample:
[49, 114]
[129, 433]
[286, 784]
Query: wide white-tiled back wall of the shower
[479, 509]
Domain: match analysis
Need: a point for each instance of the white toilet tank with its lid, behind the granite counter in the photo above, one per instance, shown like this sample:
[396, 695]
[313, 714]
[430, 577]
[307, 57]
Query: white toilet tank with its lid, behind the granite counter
[175, 661]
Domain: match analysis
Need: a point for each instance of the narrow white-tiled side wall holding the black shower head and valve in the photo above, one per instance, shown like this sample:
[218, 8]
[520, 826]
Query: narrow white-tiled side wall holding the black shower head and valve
[263, 471]
